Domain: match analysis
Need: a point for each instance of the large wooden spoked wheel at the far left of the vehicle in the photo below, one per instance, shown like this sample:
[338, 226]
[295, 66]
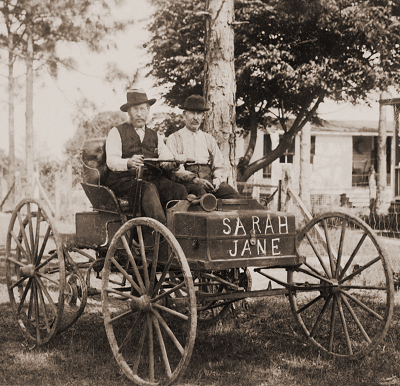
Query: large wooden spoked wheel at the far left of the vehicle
[35, 271]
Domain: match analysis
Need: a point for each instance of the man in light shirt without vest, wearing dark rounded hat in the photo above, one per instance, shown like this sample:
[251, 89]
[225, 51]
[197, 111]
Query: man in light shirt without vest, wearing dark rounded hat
[210, 173]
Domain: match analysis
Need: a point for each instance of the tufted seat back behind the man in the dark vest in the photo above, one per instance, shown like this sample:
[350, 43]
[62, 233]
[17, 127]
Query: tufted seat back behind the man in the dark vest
[95, 170]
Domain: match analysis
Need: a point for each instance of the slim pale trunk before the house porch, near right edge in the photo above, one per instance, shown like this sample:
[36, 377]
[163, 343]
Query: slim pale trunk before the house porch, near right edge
[382, 172]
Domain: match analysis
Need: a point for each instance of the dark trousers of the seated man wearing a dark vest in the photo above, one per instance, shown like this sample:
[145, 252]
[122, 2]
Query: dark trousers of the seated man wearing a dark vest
[155, 194]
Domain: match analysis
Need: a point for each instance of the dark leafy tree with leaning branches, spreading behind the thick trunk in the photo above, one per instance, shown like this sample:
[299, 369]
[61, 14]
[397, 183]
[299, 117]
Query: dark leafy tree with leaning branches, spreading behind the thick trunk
[289, 56]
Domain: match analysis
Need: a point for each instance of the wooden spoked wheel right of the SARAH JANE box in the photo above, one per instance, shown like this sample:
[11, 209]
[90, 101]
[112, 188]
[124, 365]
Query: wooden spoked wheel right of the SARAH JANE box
[343, 295]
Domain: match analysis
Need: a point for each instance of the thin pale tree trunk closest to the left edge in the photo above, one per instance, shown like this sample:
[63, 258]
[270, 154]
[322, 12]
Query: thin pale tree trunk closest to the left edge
[11, 126]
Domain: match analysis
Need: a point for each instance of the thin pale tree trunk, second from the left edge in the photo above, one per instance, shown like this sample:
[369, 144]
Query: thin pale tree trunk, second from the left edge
[29, 112]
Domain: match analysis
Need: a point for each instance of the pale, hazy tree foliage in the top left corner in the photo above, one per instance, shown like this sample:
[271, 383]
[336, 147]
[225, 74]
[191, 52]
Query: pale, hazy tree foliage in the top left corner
[55, 21]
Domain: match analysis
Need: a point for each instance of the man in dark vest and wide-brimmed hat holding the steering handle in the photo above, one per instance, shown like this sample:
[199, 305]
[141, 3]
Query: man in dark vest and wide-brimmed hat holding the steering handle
[126, 147]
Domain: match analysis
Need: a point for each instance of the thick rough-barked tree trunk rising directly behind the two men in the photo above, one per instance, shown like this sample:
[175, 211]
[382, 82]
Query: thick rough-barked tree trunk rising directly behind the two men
[219, 77]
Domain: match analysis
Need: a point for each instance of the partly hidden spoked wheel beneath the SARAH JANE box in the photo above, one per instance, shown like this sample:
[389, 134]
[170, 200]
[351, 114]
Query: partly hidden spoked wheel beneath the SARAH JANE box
[209, 311]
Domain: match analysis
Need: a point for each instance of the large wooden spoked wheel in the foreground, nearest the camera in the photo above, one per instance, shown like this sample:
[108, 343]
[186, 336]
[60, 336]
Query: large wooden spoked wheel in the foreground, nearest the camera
[149, 303]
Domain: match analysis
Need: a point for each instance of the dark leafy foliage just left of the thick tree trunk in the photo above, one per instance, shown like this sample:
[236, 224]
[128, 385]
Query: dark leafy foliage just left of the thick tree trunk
[177, 48]
